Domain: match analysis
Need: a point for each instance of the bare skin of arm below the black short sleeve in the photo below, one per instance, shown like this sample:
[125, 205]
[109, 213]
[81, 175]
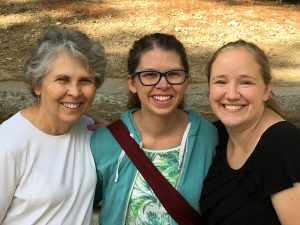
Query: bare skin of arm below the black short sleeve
[287, 205]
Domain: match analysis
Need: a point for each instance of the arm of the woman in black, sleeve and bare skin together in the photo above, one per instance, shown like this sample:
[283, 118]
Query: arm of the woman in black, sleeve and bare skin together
[281, 169]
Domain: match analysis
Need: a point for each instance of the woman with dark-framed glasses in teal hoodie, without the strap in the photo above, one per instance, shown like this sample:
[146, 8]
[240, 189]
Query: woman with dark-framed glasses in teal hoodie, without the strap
[178, 142]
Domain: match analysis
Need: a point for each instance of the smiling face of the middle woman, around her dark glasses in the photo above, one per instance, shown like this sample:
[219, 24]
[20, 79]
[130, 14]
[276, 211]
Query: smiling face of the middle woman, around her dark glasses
[162, 98]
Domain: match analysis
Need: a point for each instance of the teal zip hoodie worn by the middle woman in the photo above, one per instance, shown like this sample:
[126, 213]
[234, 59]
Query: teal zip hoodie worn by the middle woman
[116, 172]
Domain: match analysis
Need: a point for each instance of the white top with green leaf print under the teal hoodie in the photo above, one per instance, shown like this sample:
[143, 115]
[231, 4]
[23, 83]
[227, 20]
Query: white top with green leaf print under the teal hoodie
[144, 207]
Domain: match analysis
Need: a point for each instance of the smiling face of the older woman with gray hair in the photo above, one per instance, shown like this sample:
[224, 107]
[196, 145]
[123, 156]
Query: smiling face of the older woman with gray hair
[66, 92]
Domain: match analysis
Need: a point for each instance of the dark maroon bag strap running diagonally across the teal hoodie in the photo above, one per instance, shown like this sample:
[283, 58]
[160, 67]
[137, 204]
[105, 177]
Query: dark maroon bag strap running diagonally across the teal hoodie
[180, 210]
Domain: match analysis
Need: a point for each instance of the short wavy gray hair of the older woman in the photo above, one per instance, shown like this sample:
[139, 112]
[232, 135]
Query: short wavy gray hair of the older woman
[55, 41]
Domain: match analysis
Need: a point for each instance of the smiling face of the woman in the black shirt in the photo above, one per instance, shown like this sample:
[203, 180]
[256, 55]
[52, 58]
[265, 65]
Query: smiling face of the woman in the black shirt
[237, 91]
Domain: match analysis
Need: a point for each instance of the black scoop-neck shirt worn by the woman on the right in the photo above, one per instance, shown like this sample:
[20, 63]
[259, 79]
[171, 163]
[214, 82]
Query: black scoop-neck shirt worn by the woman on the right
[242, 197]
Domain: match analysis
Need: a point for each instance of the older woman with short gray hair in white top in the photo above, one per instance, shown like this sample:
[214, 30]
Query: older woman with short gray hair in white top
[47, 172]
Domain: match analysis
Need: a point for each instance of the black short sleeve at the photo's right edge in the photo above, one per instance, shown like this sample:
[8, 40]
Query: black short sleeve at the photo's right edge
[278, 158]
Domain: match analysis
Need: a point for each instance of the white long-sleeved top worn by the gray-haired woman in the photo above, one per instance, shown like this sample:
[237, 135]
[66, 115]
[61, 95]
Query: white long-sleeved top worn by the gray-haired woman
[45, 179]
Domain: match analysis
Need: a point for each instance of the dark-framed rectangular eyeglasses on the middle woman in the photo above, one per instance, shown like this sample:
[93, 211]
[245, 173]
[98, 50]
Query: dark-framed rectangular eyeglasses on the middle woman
[152, 77]
